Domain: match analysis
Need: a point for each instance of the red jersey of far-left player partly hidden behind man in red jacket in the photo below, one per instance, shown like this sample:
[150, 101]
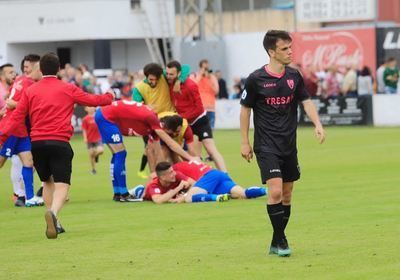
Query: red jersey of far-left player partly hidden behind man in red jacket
[18, 89]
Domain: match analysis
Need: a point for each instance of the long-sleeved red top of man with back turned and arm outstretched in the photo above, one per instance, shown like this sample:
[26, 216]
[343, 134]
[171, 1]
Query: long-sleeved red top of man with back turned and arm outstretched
[50, 104]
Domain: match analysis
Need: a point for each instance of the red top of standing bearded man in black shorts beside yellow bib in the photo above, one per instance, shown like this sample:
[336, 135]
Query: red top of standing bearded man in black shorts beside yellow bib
[187, 102]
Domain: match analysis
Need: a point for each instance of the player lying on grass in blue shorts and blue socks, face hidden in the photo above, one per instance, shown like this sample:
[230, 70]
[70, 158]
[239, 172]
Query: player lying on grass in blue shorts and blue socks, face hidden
[211, 182]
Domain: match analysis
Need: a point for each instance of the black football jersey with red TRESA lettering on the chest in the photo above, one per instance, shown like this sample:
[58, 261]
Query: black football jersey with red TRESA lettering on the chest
[274, 99]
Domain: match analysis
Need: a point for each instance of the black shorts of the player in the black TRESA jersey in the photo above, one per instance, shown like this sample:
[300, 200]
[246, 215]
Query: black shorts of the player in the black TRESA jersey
[273, 166]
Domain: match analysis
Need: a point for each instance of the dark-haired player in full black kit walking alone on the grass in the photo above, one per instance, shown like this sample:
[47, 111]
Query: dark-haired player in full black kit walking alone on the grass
[274, 92]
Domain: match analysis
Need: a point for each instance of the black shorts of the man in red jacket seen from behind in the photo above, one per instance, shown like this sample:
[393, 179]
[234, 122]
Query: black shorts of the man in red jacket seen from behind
[53, 158]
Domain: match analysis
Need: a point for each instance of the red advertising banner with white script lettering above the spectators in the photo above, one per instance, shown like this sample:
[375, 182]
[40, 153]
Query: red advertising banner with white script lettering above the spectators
[340, 48]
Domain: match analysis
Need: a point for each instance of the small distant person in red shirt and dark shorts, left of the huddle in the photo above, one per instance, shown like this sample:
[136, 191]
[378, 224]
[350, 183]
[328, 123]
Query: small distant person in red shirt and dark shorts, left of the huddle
[92, 137]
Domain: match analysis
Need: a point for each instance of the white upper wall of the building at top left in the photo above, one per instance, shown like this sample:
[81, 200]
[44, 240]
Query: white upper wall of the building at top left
[65, 20]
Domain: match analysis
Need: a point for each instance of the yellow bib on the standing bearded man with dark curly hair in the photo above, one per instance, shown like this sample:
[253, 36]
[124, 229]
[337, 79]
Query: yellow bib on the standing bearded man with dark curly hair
[158, 98]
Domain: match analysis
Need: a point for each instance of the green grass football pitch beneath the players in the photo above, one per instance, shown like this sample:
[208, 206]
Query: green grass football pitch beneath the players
[345, 220]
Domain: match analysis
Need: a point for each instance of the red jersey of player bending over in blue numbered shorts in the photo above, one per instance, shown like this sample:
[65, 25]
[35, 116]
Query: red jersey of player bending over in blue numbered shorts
[132, 118]
